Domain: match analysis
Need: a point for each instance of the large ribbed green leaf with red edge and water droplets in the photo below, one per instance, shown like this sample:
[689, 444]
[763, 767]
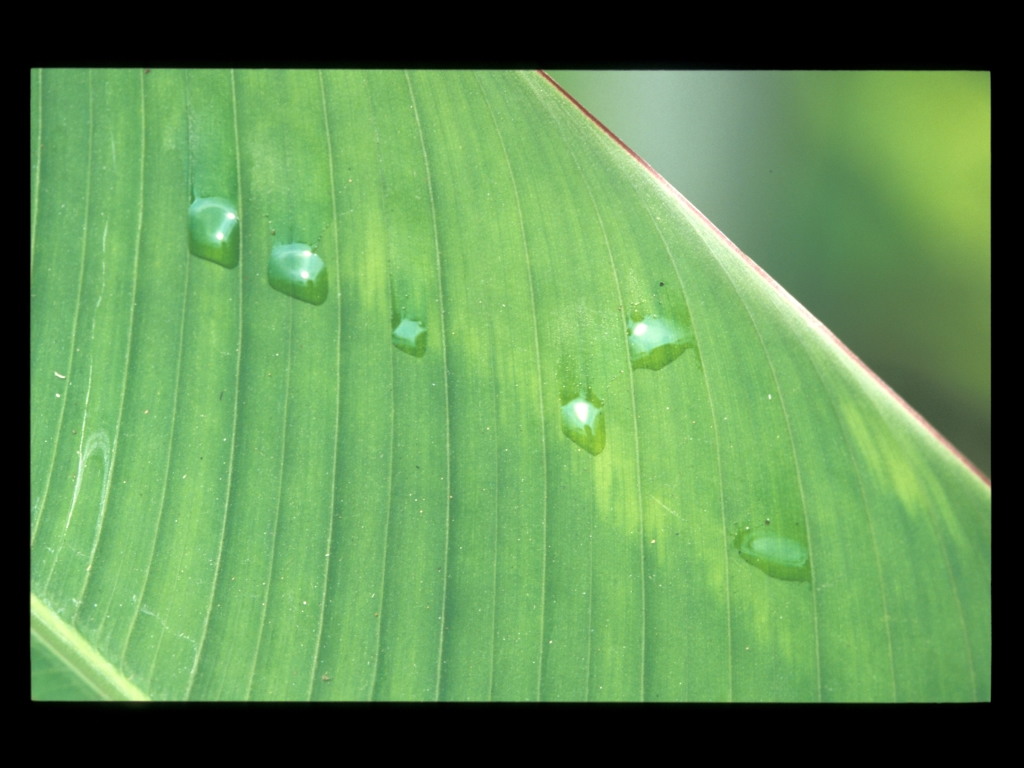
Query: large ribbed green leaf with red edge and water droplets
[549, 435]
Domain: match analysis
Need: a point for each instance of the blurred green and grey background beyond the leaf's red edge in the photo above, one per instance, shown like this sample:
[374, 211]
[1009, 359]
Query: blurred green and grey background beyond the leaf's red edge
[867, 195]
